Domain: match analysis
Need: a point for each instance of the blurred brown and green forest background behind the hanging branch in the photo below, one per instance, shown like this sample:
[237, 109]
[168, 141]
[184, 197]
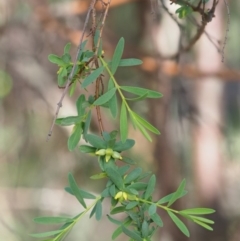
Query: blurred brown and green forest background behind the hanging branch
[199, 115]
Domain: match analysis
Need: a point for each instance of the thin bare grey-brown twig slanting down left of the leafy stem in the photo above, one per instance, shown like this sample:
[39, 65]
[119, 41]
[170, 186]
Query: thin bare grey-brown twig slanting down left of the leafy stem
[59, 104]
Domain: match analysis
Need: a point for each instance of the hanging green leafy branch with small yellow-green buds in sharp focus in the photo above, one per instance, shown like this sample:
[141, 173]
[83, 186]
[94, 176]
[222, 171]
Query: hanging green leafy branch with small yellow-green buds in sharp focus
[129, 189]
